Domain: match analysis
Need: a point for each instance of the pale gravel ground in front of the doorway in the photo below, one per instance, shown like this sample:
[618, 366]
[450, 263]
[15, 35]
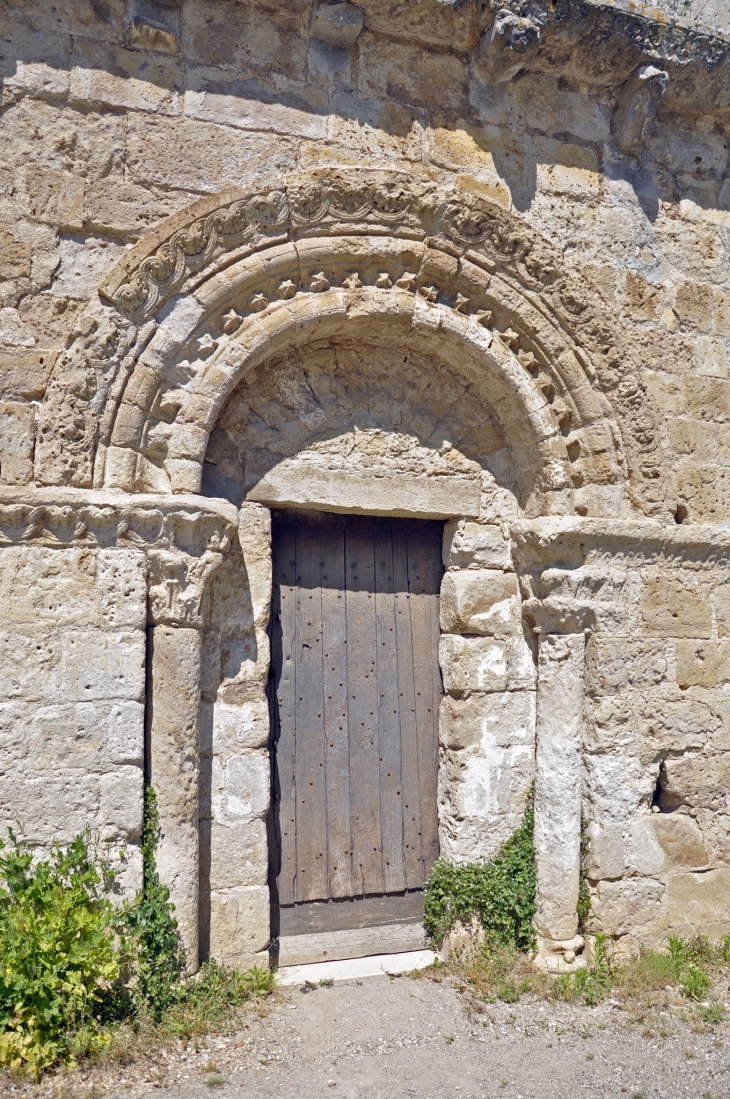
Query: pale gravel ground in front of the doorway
[386, 1039]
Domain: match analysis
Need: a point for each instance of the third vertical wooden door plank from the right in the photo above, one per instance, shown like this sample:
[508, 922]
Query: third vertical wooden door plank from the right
[392, 818]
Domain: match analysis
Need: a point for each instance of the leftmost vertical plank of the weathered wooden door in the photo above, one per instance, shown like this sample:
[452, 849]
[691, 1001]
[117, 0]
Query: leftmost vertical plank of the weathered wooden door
[284, 701]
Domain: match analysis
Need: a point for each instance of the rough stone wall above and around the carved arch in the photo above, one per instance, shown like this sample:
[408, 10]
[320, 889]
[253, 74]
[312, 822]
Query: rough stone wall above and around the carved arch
[115, 118]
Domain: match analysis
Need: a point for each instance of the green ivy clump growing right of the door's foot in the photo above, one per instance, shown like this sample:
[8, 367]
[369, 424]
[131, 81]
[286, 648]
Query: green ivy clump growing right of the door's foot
[501, 893]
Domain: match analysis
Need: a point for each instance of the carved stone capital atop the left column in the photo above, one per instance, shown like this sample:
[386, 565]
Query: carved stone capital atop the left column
[178, 585]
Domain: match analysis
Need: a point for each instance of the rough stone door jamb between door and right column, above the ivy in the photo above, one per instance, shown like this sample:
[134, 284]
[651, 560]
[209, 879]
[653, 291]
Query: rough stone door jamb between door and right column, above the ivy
[488, 721]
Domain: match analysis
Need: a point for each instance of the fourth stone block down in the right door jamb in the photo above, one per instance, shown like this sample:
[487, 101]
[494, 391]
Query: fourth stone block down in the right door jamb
[504, 720]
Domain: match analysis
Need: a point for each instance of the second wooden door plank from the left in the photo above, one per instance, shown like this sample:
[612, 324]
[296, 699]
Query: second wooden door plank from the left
[312, 793]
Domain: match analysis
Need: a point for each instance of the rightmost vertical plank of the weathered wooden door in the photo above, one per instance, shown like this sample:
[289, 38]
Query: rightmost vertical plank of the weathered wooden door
[422, 573]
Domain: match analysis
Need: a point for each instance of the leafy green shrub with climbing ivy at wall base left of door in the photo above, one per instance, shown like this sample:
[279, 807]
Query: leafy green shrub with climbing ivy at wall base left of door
[76, 970]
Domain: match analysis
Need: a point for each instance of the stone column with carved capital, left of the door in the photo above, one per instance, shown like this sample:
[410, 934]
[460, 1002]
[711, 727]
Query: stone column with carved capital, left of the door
[178, 583]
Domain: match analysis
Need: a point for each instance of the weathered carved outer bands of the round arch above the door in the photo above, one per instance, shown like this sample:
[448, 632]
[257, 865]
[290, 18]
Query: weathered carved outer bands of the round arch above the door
[99, 372]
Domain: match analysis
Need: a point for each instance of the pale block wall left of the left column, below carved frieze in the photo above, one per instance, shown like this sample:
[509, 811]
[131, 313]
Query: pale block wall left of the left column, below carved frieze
[72, 691]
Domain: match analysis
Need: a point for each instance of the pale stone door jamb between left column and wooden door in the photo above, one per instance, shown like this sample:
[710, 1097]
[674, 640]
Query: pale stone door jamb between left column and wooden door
[236, 774]
